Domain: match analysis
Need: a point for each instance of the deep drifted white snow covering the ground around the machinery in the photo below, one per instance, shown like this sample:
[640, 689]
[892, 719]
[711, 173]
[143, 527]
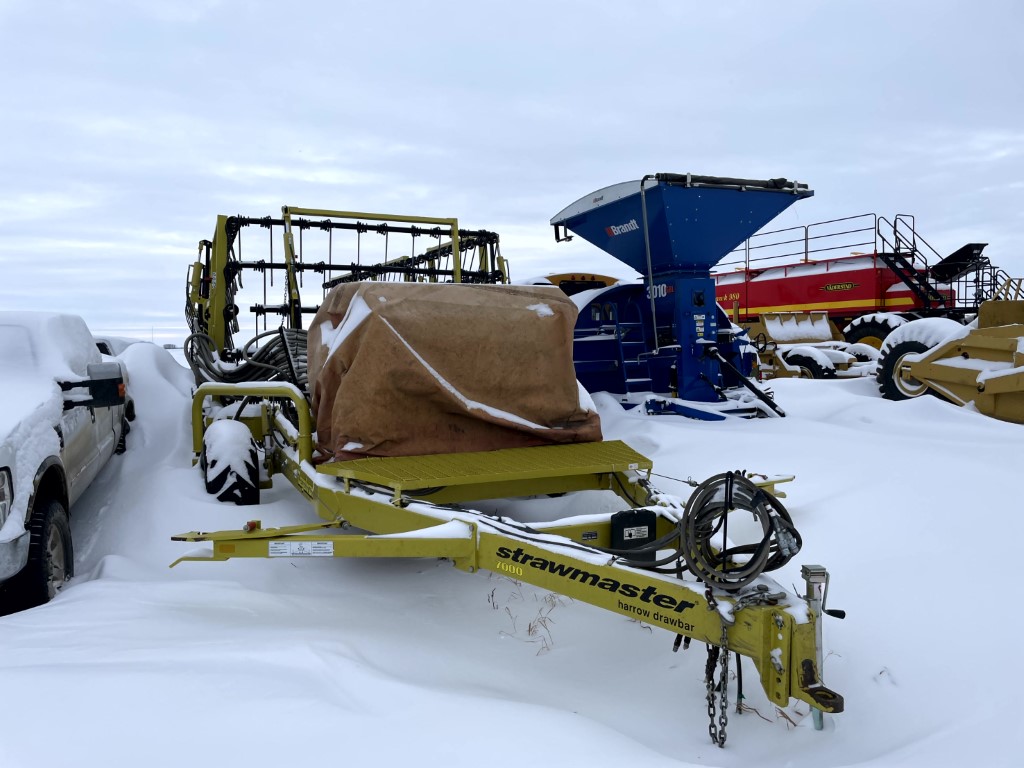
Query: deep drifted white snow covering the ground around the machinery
[914, 507]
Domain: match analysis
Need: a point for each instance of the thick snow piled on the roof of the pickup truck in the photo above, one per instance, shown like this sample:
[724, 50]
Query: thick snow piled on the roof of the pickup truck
[51, 344]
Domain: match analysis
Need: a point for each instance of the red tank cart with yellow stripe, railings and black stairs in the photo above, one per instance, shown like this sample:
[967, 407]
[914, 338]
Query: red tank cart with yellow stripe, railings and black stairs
[868, 273]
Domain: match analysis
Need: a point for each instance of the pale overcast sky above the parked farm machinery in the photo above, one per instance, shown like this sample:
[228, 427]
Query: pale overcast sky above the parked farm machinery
[129, 125]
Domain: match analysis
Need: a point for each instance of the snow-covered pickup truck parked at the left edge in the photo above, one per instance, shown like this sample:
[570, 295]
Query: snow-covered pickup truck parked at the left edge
[64, 413]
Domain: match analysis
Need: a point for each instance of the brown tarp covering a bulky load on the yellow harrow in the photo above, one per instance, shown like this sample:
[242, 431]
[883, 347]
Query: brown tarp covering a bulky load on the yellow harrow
[406, 369]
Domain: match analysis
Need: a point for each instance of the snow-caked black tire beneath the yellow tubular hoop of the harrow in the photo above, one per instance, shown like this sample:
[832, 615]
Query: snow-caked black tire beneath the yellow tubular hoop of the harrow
[231, 463]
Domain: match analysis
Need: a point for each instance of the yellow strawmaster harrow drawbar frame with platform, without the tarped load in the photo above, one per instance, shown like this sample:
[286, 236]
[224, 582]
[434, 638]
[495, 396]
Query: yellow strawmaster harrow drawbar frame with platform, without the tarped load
[405, 503]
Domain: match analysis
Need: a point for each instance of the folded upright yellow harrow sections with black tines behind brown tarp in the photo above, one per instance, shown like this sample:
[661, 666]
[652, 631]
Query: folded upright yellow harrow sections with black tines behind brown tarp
[340, 247]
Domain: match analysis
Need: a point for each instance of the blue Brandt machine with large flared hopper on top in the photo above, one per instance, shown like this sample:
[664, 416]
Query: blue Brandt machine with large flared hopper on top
[666, 343]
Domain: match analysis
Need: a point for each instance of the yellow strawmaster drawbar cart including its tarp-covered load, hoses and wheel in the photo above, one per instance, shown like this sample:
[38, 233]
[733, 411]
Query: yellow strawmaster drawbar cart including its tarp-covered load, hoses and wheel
[398, 433]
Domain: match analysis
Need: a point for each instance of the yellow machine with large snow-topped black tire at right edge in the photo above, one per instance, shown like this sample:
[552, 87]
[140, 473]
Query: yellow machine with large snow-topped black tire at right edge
[980, 365]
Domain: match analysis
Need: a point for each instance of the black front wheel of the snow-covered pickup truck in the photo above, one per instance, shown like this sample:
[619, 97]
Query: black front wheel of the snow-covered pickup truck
[52, 559]
